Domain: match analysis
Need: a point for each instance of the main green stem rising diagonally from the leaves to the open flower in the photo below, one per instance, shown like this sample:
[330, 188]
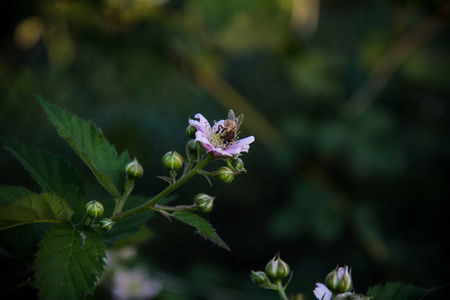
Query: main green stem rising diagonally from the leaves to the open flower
[150, 204]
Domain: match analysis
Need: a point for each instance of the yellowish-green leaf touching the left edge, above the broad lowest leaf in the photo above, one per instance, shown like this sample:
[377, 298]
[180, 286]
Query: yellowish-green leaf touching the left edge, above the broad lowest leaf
[46, 207]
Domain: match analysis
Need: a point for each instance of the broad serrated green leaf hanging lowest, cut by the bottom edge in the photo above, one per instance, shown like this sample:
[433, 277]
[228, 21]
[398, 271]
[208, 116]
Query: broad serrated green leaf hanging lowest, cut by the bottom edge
[68, 262]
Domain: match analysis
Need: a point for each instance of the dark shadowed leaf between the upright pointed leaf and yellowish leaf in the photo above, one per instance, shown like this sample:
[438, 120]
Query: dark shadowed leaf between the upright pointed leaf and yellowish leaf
[53, 173]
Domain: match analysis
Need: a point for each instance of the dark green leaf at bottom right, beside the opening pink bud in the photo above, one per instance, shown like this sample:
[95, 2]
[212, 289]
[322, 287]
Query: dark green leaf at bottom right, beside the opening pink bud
[397, 291]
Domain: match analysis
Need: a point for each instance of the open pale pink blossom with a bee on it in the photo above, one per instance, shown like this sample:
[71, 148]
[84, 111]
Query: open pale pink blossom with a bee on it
[214, 143]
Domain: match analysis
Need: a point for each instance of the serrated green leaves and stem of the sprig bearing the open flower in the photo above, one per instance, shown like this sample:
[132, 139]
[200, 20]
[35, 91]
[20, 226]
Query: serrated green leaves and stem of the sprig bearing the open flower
[71, 254]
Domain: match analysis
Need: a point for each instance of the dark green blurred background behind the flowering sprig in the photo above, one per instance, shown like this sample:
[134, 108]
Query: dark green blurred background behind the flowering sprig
[348, 102]
